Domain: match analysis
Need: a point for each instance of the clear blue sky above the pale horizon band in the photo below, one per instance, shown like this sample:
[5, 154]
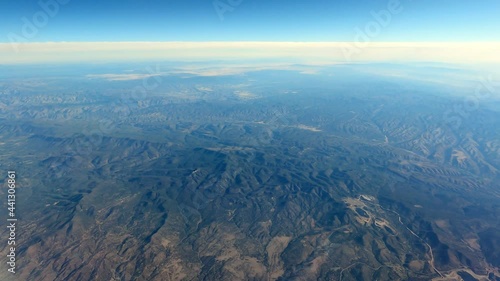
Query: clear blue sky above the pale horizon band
[252, 20]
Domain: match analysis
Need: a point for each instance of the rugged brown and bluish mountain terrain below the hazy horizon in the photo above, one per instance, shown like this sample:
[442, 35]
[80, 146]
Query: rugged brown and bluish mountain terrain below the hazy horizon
[263, 175]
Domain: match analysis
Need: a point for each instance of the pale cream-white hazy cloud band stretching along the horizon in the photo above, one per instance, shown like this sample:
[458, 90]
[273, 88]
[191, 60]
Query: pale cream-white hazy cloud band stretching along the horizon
[322, 52]
